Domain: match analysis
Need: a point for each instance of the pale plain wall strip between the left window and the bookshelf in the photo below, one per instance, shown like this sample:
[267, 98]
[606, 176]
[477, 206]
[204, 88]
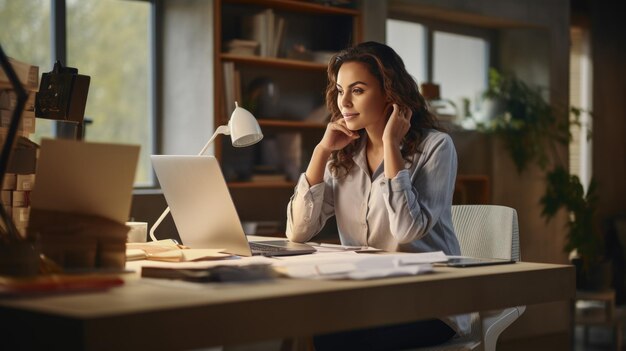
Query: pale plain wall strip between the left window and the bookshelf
[188, 76]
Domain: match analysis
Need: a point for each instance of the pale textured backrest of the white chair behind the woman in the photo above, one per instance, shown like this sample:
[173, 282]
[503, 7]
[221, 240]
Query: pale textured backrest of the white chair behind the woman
[487, 231]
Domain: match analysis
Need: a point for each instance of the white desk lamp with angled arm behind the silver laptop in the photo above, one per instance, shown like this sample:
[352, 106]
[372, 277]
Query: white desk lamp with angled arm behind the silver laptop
[244, 130]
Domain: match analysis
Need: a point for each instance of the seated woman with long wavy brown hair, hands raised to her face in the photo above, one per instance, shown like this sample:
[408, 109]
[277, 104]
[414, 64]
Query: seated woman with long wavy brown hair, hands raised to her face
[386, 173]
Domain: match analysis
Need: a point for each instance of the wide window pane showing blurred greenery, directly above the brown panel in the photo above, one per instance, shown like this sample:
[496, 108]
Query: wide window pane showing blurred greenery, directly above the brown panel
[109, 41]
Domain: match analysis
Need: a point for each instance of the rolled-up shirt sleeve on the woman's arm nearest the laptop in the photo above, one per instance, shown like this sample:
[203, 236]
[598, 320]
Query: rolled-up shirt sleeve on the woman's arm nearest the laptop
[309, 208]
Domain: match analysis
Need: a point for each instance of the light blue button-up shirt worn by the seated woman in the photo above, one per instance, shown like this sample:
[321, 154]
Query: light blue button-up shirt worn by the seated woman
[409, 213]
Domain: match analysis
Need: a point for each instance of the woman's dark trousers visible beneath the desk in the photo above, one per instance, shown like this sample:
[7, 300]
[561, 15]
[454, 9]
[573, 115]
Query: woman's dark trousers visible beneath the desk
[394, 337]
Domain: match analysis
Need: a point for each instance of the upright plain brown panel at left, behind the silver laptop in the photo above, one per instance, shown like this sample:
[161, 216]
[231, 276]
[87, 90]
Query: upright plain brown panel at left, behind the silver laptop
[85, 178]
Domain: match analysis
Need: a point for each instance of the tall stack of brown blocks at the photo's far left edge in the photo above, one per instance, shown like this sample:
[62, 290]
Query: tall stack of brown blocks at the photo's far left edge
[20, 178]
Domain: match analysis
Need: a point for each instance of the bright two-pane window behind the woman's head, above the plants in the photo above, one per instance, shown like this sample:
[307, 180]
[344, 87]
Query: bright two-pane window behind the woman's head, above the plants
[455, 57]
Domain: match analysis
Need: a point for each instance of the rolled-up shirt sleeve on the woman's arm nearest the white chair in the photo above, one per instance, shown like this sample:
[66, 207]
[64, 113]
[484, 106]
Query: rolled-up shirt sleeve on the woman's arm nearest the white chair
[415, 201]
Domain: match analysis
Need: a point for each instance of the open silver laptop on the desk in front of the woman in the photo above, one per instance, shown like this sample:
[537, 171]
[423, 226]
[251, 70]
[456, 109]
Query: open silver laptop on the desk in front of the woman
[203, 210]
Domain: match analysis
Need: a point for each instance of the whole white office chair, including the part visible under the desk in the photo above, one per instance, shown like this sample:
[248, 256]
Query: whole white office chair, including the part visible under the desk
[486, 231]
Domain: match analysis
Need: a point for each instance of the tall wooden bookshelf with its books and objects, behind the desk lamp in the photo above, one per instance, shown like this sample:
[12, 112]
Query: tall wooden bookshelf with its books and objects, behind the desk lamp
[271, 56]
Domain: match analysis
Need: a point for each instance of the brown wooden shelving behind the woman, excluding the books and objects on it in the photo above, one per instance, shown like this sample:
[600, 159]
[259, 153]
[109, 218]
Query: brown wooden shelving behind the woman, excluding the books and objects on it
[299, 79]
